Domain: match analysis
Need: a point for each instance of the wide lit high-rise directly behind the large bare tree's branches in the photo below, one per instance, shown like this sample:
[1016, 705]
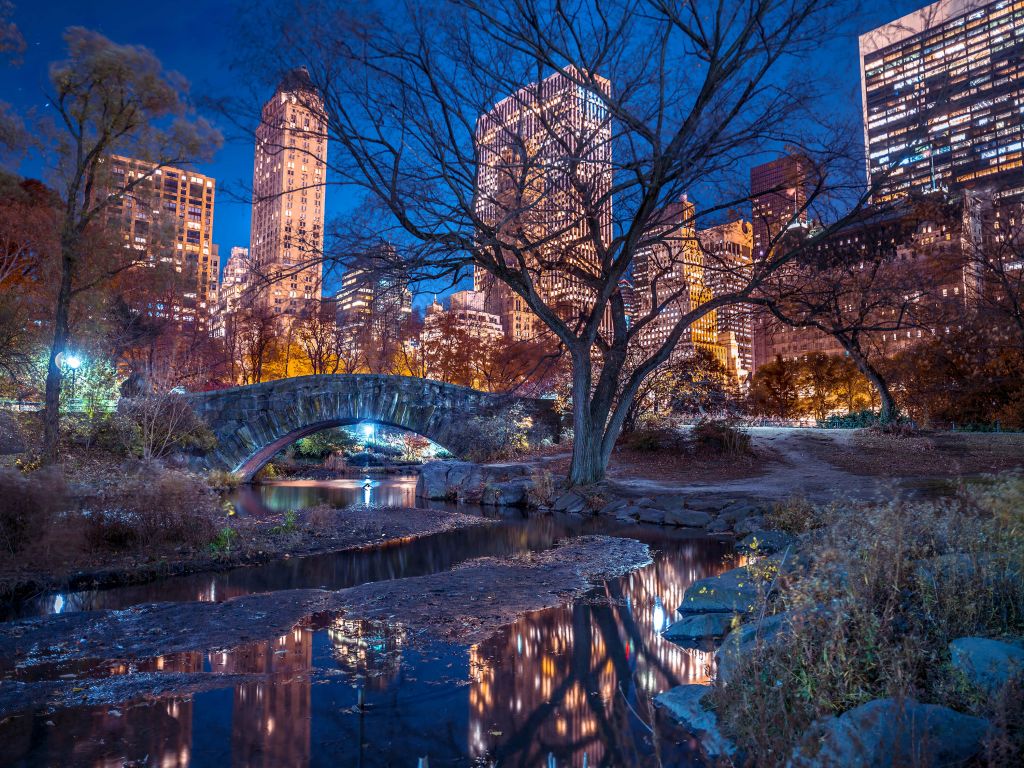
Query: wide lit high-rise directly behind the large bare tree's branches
[524, 144]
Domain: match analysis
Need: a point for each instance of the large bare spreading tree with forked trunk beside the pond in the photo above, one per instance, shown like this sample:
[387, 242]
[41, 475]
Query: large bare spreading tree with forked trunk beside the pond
[539, 144]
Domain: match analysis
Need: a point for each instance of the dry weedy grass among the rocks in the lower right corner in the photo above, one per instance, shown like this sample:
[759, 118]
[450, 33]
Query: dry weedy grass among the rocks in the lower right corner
[889, 588]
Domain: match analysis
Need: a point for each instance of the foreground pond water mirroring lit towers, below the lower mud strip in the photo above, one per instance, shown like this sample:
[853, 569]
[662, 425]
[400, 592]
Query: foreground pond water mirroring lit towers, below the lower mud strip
[569, 682]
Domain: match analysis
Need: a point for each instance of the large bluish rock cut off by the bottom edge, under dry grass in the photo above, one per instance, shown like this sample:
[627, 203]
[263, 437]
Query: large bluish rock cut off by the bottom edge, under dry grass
[885, 733]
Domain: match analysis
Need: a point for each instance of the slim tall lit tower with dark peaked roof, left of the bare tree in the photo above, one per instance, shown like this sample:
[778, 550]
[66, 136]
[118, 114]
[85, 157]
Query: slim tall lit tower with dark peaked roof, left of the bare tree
[289, 176]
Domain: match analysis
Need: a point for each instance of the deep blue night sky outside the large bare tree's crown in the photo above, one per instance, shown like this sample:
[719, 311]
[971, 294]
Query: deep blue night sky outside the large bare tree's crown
[195, 38]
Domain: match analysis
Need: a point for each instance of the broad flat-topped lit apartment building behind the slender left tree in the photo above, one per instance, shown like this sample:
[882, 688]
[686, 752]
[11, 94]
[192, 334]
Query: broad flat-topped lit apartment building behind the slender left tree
[166, 217]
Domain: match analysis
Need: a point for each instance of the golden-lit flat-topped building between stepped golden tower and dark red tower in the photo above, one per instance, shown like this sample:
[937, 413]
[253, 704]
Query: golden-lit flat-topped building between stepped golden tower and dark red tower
[728, 253]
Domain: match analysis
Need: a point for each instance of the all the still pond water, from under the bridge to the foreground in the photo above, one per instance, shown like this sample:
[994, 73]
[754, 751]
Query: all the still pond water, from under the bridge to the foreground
[566, 687]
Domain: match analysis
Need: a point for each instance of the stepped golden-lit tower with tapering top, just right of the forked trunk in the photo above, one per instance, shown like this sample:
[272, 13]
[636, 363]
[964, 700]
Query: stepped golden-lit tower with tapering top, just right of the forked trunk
[669, 281]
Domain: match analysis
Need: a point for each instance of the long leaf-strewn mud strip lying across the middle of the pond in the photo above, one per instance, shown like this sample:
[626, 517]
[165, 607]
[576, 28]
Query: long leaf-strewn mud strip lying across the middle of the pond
[464, 605]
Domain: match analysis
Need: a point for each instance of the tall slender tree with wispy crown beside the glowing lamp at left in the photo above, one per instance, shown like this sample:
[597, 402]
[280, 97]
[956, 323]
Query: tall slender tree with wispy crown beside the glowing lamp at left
[108, 99]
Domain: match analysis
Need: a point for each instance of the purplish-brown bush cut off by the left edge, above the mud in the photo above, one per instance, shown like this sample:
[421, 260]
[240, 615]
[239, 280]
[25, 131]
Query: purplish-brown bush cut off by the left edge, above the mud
[28, 506]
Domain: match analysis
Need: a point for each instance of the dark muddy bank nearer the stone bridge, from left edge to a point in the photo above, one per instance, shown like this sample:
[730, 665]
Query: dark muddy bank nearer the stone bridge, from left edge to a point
[318, 531]
